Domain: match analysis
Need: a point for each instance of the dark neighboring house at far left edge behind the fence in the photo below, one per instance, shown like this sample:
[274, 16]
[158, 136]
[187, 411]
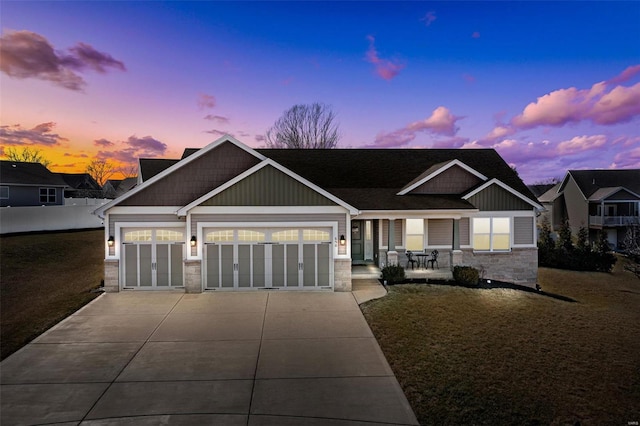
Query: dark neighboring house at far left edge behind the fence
[29, 184]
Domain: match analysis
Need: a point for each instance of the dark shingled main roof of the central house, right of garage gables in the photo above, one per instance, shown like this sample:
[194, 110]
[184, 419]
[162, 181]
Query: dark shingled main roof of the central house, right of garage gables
[369, 179]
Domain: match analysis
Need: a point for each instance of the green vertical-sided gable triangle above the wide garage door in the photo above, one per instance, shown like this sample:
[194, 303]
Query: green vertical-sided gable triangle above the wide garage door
[269, 187]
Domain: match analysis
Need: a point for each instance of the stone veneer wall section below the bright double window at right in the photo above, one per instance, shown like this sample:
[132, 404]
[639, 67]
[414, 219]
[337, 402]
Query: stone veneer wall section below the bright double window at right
[519, 267]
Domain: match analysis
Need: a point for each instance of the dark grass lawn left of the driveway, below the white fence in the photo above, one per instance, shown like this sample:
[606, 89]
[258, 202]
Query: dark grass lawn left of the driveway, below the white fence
[43, 279]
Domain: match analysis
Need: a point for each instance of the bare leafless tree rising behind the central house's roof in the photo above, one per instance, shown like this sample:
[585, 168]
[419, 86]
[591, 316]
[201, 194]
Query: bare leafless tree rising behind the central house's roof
[311, 126]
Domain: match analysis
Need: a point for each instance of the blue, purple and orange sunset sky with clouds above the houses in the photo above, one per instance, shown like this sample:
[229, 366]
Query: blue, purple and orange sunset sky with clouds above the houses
[550, 85]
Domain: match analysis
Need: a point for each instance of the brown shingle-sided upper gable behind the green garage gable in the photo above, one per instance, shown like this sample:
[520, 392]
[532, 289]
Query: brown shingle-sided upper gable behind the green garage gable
[196, 179]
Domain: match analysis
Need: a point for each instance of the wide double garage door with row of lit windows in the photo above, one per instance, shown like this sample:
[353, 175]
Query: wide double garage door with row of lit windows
[268, 258]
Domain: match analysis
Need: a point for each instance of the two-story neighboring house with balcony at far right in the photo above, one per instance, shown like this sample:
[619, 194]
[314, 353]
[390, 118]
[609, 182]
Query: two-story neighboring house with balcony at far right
[605, 200]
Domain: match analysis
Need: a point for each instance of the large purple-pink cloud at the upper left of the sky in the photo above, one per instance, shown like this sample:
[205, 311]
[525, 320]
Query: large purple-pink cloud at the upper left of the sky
[24, 54]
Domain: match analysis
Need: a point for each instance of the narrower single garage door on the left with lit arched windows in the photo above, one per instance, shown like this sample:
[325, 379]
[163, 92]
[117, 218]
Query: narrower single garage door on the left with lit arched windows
[152, 258]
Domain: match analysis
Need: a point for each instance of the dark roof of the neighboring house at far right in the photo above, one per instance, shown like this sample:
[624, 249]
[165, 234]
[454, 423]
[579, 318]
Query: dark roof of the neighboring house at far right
[589, 181]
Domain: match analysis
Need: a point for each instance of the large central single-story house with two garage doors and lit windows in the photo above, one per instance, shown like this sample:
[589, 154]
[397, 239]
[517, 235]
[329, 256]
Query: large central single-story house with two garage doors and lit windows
[228, 217]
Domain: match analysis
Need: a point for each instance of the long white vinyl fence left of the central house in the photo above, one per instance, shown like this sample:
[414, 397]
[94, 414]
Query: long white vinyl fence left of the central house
[75, 214]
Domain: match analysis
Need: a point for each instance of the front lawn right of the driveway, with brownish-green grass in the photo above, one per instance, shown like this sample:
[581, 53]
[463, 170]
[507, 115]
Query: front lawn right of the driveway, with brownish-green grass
[489, 357]
